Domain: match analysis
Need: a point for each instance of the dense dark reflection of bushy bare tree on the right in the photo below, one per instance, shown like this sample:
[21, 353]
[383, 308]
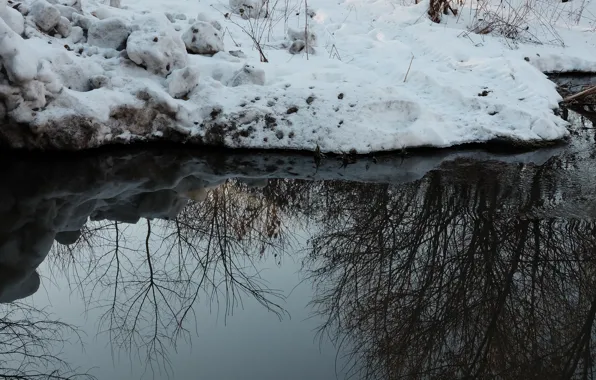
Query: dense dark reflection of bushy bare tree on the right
[450, 278]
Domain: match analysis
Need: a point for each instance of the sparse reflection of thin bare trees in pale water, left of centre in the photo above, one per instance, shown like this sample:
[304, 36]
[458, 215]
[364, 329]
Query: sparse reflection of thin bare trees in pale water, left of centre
[146, 279]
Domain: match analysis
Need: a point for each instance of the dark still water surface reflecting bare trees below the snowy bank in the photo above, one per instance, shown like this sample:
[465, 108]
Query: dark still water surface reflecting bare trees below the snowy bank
[182, 265]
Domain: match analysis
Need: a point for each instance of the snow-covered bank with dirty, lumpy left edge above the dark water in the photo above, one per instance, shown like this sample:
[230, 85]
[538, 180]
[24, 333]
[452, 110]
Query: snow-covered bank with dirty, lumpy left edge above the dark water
[378, 76]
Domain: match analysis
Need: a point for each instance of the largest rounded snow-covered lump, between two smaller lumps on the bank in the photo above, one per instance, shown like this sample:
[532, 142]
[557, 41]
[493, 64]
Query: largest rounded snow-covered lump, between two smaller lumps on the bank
[156, 46]
